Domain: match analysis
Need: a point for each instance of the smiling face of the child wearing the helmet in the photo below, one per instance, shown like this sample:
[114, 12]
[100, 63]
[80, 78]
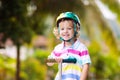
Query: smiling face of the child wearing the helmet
[66, 29]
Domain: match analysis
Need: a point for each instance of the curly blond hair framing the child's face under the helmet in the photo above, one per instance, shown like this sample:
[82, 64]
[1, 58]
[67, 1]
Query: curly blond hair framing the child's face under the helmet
[56, 30]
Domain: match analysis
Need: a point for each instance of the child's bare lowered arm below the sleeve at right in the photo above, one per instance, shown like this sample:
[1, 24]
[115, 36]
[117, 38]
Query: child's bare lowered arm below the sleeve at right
[84, 73]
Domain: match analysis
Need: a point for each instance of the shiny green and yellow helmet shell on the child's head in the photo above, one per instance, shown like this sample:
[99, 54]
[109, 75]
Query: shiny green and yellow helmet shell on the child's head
[68, 15]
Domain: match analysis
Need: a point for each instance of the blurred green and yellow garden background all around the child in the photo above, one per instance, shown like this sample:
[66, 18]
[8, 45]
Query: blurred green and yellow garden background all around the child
[26, 37]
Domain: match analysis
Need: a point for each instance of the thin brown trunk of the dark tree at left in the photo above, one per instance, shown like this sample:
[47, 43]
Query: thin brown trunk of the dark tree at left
[18, 62]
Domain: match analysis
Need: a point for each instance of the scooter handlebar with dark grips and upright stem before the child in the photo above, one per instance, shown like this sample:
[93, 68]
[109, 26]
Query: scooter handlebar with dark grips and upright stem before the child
[69, 60]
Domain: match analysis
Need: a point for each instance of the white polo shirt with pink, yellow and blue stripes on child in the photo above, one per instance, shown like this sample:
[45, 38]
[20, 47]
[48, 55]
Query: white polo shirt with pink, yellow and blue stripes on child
[71, 71]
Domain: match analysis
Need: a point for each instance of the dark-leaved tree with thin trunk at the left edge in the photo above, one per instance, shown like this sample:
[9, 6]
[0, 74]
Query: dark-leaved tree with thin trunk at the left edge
[15, 24]
